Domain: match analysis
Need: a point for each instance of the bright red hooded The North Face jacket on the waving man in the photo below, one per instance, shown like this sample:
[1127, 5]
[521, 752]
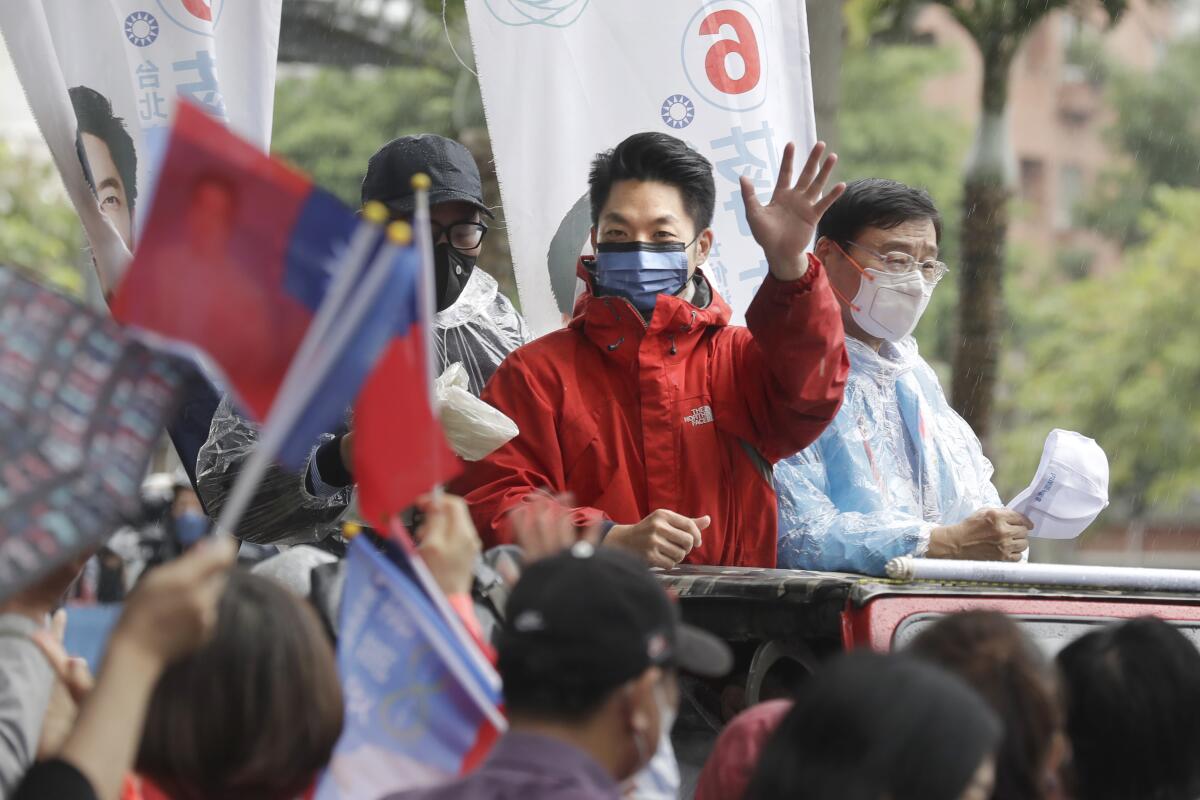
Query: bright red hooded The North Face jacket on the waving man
[683, 413]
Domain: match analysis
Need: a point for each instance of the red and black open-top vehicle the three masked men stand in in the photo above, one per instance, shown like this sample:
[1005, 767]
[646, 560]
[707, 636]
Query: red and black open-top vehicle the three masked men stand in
[783, 623]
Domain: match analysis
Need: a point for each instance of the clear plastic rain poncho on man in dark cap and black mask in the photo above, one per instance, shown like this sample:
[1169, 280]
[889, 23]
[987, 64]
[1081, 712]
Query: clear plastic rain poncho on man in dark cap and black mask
[479, 330]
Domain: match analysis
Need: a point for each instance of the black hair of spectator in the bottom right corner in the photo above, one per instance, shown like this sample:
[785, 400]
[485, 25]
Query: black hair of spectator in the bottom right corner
[1133, 713]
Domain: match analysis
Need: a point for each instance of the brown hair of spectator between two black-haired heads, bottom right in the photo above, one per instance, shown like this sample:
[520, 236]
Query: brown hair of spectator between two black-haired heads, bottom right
[991, 653]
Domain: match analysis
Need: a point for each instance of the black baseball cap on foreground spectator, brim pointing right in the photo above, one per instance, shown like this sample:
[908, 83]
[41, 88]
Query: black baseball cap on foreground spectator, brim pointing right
[597, 618]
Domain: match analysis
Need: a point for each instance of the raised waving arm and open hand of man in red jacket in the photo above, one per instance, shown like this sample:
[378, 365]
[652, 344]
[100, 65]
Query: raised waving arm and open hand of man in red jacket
[784, 380]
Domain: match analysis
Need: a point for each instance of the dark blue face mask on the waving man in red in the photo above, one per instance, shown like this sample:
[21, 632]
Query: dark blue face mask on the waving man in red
[641, 272]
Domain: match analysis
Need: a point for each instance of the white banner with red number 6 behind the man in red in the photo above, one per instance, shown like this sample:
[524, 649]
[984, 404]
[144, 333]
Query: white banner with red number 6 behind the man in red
[565, 80]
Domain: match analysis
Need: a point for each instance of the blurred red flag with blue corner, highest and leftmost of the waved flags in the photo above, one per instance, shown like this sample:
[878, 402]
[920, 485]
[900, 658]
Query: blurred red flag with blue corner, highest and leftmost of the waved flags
[238, 252]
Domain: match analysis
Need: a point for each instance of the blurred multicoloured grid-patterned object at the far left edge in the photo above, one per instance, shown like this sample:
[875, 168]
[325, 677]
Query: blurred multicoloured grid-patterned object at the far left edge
[82, 407]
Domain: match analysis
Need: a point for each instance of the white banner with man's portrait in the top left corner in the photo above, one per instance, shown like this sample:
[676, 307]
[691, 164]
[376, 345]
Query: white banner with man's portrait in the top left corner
[103, 79]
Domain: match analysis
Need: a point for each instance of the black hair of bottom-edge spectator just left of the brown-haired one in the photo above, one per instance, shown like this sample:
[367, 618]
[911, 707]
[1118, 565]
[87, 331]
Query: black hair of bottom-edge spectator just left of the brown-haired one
[871, 726]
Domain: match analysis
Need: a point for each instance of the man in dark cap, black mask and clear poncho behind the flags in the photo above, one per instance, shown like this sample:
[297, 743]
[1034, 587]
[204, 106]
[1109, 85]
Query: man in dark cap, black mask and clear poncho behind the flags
[475, 326]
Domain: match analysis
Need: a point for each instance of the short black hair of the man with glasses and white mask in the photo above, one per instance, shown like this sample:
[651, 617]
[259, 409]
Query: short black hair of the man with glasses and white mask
[877, 203]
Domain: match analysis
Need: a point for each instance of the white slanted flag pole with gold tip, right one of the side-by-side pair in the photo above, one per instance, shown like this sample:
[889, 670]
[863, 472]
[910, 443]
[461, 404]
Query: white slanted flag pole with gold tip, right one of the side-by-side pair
[304, 378]
